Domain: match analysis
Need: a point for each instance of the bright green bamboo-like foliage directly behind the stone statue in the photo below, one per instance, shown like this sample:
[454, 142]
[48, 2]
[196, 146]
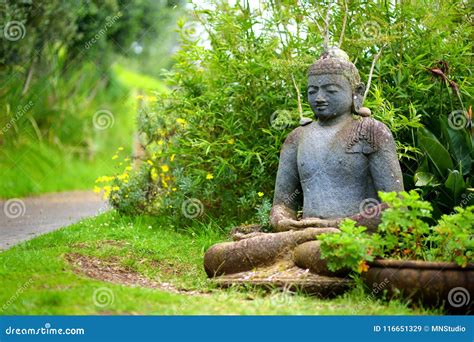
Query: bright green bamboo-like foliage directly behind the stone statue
[239, 89]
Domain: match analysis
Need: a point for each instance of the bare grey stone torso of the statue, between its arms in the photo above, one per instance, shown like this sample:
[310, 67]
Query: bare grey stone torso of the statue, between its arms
[335, 176]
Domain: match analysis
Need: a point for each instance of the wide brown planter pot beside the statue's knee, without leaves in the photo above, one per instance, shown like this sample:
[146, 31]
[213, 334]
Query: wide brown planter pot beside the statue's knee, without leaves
[432, 283]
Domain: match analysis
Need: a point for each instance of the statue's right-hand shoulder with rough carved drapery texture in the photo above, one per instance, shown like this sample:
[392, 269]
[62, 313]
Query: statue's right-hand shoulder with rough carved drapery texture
[368, 135]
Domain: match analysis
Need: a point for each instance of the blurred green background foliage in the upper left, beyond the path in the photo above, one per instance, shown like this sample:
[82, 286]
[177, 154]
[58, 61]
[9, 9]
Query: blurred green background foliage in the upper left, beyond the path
[58, 56]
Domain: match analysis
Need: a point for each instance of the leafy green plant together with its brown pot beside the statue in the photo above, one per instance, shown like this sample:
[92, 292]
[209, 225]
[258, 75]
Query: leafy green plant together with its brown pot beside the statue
[431, 263]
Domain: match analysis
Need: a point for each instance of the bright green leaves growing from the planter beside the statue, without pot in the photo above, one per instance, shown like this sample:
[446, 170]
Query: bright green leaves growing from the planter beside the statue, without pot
[402, 234]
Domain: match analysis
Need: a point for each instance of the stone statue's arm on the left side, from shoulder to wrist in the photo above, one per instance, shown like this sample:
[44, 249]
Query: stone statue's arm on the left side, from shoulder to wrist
[288, 193]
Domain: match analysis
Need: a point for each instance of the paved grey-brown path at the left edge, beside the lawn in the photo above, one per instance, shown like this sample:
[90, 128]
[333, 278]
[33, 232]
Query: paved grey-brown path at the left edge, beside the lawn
[23, 219]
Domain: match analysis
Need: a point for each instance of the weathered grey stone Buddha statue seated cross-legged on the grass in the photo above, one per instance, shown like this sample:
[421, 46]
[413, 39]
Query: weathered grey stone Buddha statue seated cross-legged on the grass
[330, 169]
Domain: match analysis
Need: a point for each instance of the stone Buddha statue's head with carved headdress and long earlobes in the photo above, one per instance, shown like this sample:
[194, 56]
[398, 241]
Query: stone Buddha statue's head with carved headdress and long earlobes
[334, 86]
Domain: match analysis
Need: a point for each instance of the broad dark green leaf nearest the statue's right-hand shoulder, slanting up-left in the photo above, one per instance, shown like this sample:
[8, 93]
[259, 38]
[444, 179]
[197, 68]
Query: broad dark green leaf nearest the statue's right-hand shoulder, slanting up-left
[436, 152]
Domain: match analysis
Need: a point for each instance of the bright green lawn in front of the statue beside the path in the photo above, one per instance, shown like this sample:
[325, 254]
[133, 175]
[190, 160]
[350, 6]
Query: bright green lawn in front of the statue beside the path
[36, 278]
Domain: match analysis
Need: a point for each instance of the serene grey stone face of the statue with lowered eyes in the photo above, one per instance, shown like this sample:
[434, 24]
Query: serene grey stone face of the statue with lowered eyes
[329, 96]
